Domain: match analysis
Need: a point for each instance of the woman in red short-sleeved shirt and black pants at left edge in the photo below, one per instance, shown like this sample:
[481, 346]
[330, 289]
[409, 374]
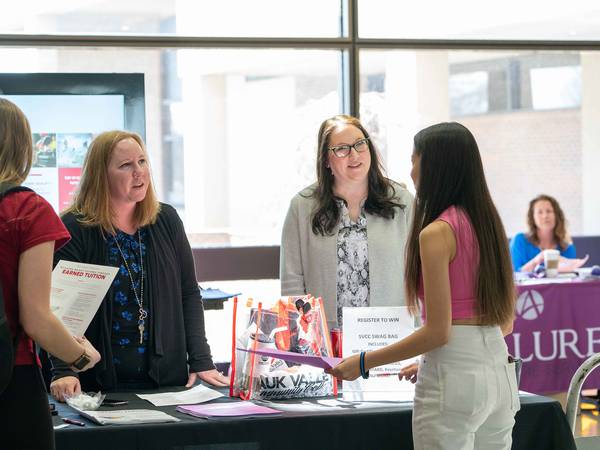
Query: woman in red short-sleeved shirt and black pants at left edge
[30, 232]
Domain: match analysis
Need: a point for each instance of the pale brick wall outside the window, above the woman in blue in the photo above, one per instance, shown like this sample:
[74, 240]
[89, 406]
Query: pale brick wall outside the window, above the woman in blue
[529, 153]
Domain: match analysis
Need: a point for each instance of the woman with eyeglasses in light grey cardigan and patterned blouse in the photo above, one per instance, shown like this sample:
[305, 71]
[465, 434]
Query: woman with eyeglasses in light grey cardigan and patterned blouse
[343, 237]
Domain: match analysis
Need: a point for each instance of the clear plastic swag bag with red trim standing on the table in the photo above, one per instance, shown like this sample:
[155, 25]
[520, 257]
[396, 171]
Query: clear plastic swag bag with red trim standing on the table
[296, 324]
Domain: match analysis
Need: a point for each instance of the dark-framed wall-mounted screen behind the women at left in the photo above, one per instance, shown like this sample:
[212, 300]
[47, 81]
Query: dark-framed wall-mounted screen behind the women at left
[66, 111]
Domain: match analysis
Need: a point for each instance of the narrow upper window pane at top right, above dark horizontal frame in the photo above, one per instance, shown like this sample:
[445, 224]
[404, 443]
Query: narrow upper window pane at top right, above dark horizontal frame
[475, 20]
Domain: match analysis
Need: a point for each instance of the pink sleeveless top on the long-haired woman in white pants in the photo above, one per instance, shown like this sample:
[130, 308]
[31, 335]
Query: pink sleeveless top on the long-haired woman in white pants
[463, 268]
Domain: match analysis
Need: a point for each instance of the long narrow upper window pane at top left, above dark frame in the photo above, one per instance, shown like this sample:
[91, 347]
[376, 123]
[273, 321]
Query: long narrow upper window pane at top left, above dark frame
[233, 18]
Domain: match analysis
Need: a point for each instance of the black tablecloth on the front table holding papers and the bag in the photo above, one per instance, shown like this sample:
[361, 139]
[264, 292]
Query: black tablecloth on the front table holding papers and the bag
[540, 424]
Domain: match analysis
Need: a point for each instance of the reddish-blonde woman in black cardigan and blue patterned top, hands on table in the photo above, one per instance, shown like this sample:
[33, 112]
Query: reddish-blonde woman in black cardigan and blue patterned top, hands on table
[150, 325]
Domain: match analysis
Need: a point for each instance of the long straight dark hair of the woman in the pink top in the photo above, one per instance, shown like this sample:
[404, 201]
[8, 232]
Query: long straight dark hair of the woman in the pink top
[451, 174]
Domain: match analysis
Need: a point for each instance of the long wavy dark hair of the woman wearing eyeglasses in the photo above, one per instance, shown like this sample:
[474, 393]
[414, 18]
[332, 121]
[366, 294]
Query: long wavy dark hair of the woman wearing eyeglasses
[381, 193]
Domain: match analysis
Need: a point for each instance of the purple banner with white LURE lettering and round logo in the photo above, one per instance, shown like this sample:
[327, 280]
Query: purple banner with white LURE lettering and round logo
[557, 327]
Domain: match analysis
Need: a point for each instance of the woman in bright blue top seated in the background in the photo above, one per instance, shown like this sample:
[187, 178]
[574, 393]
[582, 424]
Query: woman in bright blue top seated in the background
[547, 230]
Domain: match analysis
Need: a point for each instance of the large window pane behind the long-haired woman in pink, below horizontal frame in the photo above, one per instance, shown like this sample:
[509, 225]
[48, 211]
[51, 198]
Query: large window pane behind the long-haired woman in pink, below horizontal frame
[531, 137]
